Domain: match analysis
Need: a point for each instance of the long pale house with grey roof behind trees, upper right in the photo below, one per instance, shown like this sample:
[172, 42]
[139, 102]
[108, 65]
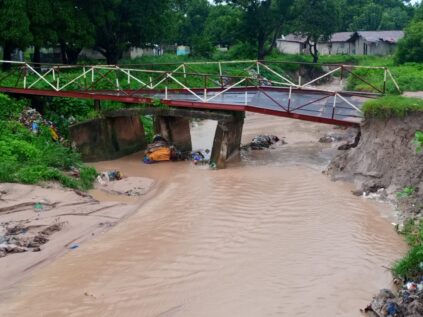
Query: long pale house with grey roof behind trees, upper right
[354, 43]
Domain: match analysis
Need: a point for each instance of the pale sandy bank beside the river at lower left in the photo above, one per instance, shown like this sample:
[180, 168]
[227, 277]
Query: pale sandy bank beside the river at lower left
[77, 216]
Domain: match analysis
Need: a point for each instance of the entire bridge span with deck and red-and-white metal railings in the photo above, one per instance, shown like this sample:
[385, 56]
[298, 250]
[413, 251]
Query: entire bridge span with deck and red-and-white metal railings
[261, 87]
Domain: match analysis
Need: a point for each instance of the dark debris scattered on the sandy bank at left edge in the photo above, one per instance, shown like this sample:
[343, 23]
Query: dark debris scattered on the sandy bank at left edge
[18, 238]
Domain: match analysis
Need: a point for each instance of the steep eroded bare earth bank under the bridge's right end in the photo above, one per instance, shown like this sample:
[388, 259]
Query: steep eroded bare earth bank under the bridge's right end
[385, 157]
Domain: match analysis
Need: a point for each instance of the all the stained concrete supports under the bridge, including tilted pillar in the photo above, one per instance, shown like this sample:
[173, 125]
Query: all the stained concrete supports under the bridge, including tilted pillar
[121, 133]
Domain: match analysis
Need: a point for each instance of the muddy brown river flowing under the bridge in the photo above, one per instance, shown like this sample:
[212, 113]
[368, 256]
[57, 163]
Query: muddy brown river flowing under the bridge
[270, 236]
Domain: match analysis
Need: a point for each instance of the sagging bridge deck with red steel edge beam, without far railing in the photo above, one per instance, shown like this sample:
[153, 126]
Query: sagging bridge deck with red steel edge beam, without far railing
[309, 105]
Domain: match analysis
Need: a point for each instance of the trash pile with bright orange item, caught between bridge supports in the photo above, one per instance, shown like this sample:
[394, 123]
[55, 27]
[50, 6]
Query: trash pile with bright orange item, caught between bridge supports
[160, 150]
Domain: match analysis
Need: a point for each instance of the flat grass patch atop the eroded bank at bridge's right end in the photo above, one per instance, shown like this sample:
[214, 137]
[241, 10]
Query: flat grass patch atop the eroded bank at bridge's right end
[391, 106]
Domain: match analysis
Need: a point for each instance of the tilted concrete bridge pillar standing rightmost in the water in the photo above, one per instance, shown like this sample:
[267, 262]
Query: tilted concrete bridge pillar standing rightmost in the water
[227, 140]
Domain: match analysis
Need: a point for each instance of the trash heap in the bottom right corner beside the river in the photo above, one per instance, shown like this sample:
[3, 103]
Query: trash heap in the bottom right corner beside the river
[408, 303]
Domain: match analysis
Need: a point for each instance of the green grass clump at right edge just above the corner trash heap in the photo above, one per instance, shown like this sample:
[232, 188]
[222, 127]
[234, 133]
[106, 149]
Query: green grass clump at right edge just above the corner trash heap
[411, 266]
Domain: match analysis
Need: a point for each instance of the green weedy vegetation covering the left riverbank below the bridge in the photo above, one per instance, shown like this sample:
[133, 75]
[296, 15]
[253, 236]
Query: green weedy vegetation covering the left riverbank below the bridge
[31, 158]
